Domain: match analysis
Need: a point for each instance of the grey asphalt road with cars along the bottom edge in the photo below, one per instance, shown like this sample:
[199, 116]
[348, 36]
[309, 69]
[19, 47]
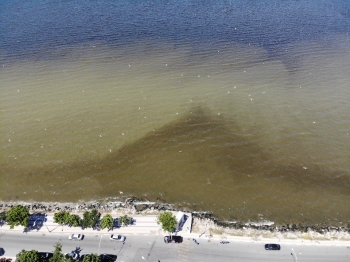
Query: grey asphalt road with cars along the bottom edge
[150, 248]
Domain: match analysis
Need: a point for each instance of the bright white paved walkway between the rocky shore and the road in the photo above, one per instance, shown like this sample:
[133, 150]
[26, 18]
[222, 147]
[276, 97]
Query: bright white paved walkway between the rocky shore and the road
[147, 225]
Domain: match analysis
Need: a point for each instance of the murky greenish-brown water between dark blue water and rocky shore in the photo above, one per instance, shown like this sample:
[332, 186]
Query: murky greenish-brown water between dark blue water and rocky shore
[229, 127]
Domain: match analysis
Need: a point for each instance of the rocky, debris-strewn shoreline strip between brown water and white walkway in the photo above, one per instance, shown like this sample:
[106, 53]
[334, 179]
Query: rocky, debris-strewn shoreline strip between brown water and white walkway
[202, 222]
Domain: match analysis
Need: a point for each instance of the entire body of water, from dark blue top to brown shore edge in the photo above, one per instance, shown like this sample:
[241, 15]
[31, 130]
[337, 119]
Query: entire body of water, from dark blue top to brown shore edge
[236, 107]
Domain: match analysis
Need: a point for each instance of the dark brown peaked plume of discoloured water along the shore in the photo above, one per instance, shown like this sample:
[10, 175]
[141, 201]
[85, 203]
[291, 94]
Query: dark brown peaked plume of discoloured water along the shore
[199, 162]
